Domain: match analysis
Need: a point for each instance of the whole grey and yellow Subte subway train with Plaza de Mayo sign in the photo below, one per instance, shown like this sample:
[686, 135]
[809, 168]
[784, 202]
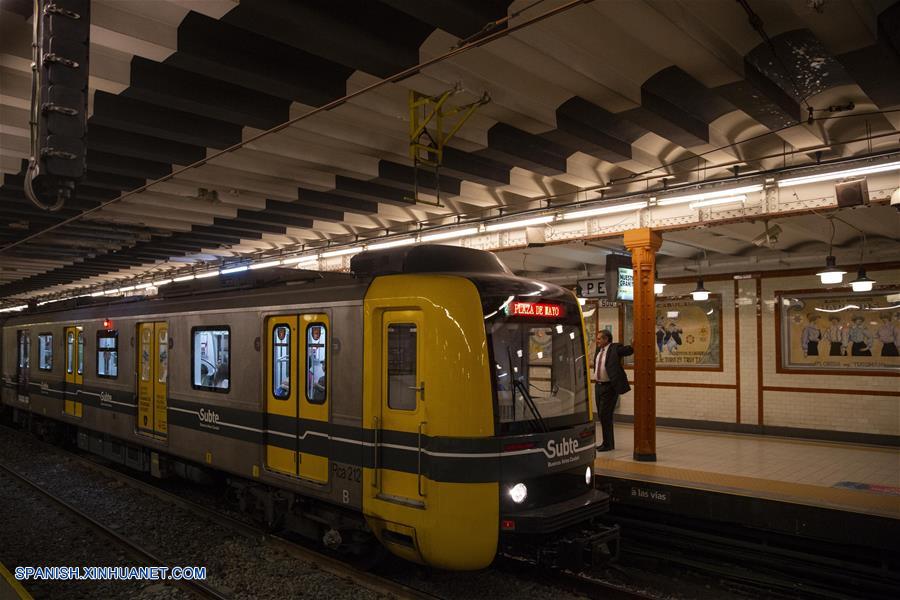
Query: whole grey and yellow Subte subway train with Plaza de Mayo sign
[429, 401]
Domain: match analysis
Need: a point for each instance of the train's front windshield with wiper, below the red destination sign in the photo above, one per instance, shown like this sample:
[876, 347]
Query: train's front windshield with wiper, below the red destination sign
[539, 373]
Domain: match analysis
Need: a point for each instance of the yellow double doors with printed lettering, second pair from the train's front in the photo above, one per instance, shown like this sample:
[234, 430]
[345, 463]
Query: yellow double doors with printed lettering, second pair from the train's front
[153, 377]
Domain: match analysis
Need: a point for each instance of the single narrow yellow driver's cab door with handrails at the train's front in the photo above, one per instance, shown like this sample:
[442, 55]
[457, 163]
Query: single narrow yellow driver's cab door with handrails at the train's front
[402, 420]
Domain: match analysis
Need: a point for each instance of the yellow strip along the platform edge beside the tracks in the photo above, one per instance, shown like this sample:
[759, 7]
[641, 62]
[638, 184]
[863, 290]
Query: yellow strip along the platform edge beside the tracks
[795, 493]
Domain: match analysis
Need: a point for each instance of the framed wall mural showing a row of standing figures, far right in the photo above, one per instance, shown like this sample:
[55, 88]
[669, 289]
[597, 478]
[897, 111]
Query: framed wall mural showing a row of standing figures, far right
[844, 331]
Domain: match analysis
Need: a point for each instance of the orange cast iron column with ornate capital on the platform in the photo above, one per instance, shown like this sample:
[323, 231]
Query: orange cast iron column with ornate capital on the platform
[643, 244]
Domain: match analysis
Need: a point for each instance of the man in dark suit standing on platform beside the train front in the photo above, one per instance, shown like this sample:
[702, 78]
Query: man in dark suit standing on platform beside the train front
[610, 381]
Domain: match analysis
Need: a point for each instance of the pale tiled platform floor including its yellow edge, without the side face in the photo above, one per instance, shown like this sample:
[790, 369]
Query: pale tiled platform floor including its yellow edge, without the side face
[799, 471]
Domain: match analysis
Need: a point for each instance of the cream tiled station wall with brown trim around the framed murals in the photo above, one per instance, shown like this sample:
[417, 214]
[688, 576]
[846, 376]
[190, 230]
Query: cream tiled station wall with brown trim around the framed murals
[733, 395]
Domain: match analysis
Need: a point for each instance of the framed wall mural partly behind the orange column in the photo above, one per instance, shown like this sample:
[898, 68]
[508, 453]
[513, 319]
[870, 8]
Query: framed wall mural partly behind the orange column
[688, 333]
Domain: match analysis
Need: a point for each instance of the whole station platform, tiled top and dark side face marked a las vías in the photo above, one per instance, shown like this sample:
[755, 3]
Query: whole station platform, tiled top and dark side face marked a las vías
[845, 493]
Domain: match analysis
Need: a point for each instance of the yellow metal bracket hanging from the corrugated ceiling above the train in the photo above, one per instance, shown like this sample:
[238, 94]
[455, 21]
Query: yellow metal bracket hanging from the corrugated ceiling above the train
[426, 146]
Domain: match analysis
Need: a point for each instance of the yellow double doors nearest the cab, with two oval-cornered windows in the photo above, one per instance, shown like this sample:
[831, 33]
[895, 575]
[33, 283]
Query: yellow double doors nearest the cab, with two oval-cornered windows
[297, 395]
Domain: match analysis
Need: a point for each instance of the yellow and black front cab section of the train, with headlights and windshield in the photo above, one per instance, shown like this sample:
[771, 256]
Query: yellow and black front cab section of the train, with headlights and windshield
[484, 439]
